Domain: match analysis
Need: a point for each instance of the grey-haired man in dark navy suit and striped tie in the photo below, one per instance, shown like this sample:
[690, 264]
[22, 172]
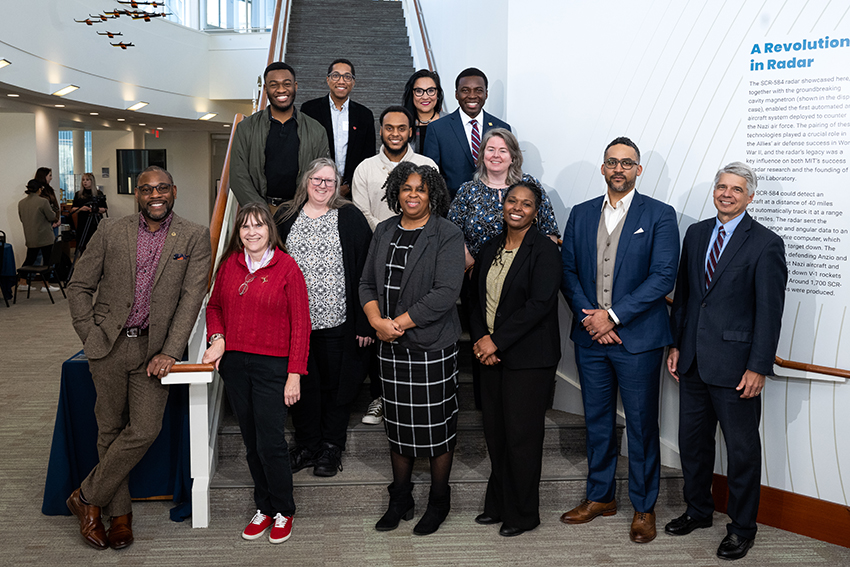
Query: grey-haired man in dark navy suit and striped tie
[726, 318]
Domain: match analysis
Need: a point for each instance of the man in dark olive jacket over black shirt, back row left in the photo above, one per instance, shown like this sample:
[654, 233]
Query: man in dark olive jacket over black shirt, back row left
[273, 147]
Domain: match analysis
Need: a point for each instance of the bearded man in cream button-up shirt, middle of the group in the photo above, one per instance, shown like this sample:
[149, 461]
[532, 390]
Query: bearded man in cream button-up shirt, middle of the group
[367, 186]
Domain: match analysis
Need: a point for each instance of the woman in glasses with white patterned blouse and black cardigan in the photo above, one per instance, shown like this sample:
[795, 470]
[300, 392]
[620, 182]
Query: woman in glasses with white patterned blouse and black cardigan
[328, 237]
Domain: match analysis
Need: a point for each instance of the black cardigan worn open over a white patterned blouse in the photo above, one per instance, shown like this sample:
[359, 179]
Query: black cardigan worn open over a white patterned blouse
[354, 236]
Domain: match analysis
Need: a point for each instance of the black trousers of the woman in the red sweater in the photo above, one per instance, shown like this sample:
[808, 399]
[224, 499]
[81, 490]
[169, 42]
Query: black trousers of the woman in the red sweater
[255, 384]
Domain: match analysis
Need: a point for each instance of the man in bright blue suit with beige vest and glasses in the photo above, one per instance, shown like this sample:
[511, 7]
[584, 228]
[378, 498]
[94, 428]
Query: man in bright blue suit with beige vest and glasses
[619, 255]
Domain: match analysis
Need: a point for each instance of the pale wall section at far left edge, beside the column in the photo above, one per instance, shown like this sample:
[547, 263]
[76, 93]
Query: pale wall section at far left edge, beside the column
[18, 164]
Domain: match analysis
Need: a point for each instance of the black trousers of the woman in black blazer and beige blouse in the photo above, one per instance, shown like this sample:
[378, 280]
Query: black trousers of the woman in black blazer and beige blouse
[514, 404]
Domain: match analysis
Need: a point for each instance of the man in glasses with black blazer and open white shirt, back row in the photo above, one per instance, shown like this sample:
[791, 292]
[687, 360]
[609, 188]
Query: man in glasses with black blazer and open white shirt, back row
[350, 125]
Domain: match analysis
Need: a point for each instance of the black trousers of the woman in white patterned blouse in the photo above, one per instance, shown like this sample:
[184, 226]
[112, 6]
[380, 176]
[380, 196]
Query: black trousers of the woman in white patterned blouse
[318, 417]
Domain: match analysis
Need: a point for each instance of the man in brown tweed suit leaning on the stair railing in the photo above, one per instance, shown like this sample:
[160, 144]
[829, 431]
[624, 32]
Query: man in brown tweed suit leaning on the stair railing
[149, 272]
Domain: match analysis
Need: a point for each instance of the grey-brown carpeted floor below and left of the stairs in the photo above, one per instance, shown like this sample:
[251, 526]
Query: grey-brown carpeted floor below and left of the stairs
[36, 337]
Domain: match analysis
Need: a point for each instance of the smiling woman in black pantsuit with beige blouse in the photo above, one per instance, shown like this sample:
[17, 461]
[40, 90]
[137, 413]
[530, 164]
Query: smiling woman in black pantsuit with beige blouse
[514, 325]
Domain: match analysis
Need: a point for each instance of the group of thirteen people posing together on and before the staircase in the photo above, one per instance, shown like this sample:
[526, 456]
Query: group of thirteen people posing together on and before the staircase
[314, 290]
